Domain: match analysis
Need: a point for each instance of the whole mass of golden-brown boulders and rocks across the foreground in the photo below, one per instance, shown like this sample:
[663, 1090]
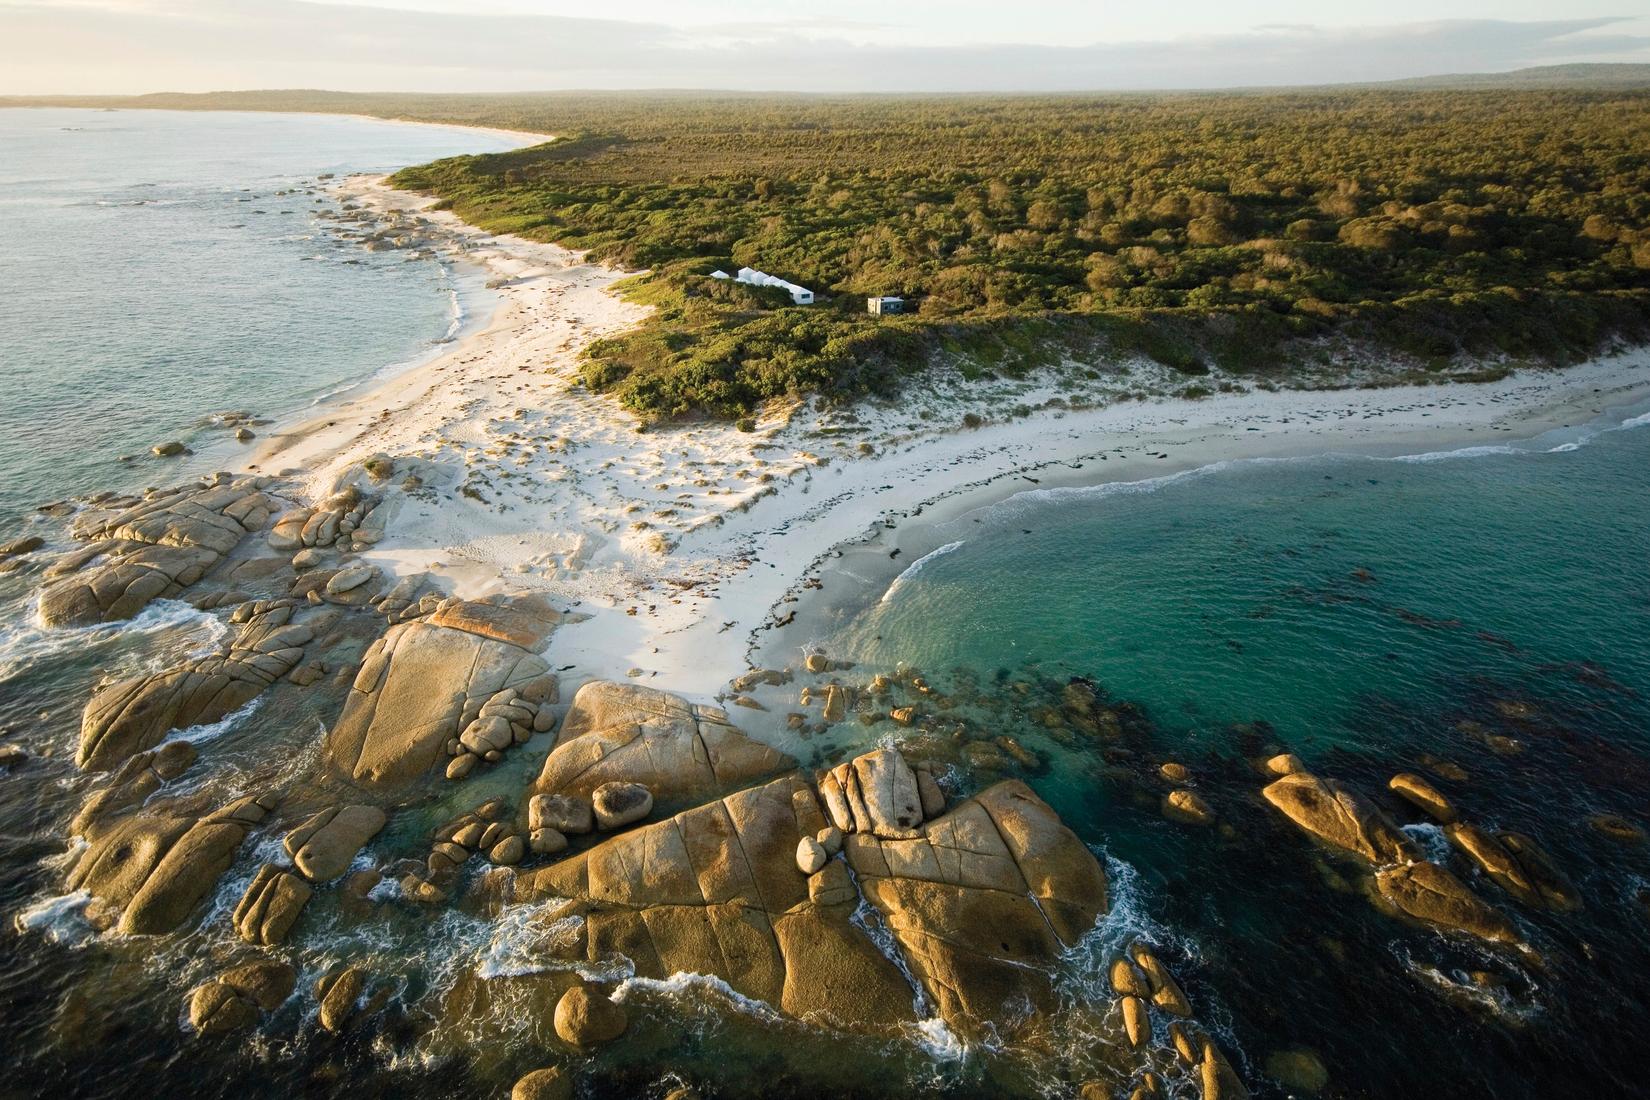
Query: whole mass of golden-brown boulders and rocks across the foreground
[435, 784]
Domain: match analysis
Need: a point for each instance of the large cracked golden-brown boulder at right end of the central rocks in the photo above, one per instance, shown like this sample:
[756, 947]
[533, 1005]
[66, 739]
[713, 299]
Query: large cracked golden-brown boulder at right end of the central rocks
[984, 903]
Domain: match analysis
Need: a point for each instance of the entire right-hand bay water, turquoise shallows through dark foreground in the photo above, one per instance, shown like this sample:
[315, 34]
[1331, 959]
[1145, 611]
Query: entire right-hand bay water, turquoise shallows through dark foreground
[1484, 609]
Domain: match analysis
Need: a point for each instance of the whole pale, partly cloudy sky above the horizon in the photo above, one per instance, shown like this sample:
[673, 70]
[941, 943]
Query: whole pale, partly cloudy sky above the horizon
[105, 47]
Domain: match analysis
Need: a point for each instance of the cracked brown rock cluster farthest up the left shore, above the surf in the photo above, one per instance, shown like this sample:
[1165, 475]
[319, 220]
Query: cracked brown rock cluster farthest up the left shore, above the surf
[151, 548]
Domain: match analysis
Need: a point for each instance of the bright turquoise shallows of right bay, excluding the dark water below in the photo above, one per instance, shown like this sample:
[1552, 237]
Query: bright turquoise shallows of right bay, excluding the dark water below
[1298, 591]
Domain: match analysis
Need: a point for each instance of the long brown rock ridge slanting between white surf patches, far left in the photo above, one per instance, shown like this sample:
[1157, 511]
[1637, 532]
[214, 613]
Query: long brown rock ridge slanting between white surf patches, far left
[134, 715]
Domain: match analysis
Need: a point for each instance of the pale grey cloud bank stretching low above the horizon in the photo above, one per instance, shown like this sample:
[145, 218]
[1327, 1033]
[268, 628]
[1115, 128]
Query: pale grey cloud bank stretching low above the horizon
[199, 45]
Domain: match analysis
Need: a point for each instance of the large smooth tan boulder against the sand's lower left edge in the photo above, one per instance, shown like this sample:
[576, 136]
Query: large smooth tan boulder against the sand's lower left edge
[425, 684]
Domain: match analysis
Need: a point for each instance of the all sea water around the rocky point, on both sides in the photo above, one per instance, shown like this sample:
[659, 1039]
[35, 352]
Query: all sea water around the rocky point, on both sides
[1479, 616]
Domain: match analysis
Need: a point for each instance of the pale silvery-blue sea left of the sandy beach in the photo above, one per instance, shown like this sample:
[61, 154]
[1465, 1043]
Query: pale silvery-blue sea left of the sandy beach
[156, 275]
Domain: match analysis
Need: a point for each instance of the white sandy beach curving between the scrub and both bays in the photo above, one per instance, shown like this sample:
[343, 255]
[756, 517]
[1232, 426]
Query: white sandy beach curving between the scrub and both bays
[681, 547]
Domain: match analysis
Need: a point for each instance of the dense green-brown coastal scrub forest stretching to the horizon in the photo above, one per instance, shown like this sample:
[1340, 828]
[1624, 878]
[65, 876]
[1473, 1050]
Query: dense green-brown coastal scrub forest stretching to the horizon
[1195, 228]
